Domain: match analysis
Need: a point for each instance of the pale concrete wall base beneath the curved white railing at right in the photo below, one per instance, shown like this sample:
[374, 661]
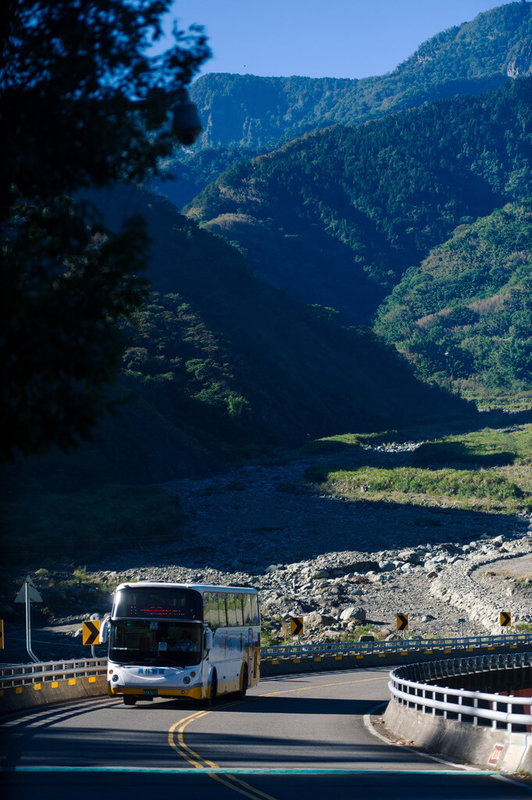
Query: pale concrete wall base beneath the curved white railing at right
[487, 747]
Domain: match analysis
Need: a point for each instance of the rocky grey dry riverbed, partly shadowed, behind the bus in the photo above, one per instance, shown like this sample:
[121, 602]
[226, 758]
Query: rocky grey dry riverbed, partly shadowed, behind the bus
[335, 561]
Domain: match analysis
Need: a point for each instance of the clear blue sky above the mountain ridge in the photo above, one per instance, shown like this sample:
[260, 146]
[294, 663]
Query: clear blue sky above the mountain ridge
[320, 38]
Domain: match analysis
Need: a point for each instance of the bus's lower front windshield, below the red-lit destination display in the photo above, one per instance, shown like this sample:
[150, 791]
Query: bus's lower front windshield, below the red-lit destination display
[155, 642]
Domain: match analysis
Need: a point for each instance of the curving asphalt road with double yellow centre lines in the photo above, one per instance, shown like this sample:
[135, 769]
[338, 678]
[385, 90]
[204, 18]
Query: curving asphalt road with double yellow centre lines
[298, 736]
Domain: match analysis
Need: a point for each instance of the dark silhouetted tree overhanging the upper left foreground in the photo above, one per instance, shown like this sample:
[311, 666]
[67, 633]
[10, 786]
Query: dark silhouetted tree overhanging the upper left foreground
[83, 104]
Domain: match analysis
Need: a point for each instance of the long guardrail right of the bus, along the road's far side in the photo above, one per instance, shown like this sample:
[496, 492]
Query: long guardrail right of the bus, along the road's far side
[392, 646]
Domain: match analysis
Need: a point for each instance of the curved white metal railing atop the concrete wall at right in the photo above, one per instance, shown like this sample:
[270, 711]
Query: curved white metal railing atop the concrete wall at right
[478, 708]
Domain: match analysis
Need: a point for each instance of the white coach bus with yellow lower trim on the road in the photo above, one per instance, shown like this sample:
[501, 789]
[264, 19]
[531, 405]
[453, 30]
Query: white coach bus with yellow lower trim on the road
[182, 640]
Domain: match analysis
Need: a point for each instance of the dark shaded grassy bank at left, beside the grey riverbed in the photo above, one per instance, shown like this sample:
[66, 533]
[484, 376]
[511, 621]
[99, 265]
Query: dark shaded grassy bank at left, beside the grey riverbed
[88, 524]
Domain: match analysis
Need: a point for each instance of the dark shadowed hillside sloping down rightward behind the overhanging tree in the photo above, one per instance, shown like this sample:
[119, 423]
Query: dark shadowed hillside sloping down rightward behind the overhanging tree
[222, 366]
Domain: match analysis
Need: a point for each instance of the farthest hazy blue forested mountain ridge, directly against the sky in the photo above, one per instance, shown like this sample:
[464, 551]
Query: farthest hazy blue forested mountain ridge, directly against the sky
[245, 115]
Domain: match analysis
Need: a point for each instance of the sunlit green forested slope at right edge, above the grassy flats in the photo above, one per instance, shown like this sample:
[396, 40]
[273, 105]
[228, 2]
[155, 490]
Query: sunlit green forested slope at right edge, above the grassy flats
[464, 316]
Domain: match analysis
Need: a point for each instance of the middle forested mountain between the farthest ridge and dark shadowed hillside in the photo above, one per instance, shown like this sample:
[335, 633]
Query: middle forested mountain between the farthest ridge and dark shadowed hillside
[337, 216]
